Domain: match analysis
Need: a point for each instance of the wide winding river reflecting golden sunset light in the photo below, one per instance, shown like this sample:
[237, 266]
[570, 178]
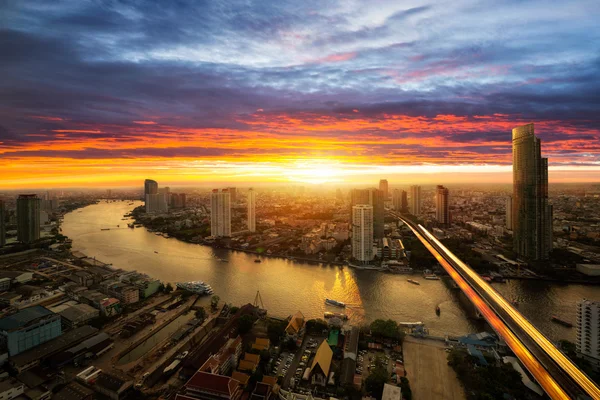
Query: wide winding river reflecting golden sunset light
[289, 286]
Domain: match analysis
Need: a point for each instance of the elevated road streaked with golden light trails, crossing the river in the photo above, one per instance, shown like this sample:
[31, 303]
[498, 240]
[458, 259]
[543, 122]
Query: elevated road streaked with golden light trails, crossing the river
[559, 377]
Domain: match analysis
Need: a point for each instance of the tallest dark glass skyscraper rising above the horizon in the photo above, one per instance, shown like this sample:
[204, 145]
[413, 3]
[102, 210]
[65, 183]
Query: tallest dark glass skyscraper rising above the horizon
[531, 213]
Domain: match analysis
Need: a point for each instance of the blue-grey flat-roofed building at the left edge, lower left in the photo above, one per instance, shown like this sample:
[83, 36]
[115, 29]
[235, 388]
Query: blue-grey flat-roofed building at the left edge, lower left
[28, 328]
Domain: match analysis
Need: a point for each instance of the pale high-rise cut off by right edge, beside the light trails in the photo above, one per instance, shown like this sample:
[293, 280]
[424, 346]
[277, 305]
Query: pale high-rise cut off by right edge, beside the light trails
[588, 331]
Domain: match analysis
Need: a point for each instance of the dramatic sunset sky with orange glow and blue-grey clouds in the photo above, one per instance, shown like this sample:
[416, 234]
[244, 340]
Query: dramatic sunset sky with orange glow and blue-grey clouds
[107, 93]
